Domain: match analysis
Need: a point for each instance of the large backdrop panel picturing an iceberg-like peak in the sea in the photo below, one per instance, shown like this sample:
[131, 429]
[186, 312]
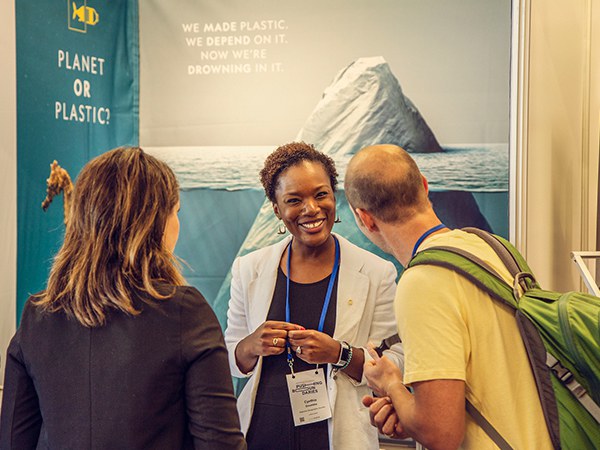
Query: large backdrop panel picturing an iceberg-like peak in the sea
[224, 83]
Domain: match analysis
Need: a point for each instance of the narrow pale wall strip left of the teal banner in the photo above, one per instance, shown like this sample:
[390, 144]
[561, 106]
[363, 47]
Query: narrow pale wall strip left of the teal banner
[8, 179]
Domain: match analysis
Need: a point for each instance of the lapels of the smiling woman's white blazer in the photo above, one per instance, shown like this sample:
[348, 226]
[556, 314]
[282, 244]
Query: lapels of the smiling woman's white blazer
[353, 288]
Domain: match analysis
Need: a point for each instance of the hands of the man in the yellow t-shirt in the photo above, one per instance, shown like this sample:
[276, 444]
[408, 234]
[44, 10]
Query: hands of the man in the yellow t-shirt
[382, 375]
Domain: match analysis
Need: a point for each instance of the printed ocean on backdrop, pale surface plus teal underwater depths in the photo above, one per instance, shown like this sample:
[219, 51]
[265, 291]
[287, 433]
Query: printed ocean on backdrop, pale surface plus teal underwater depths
[221, 198]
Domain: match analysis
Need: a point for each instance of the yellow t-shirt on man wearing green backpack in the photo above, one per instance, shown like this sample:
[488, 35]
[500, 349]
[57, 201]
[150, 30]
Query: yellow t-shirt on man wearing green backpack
[453, 330]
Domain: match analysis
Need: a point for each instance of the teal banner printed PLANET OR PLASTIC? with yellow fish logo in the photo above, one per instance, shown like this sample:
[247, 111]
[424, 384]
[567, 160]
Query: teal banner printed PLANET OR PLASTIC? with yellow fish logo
[77, 97]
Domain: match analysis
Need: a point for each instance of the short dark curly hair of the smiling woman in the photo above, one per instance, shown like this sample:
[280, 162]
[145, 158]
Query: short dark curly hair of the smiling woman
[289, 155]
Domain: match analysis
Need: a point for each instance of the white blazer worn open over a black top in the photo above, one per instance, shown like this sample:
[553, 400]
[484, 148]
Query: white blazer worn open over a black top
[364, 313]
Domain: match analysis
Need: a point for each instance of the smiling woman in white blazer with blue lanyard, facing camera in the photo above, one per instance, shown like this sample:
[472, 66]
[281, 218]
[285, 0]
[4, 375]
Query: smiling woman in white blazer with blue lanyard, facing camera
[301, 314]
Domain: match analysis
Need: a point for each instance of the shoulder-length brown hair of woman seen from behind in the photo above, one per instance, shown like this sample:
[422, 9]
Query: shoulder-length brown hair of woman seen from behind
[113, 247]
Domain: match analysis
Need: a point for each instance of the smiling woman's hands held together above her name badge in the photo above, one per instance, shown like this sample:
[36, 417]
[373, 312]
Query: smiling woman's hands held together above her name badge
[312, 346]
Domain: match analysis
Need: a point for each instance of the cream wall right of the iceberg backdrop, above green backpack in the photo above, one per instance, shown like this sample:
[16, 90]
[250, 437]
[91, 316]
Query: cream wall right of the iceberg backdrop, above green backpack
[558, 99]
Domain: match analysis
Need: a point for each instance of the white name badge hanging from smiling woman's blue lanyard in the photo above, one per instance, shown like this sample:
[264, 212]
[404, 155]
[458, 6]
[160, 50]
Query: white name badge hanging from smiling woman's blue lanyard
[308, 396]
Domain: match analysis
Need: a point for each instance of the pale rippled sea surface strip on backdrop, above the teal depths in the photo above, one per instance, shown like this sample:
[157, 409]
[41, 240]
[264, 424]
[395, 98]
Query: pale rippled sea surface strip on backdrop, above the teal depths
[463, 167]
